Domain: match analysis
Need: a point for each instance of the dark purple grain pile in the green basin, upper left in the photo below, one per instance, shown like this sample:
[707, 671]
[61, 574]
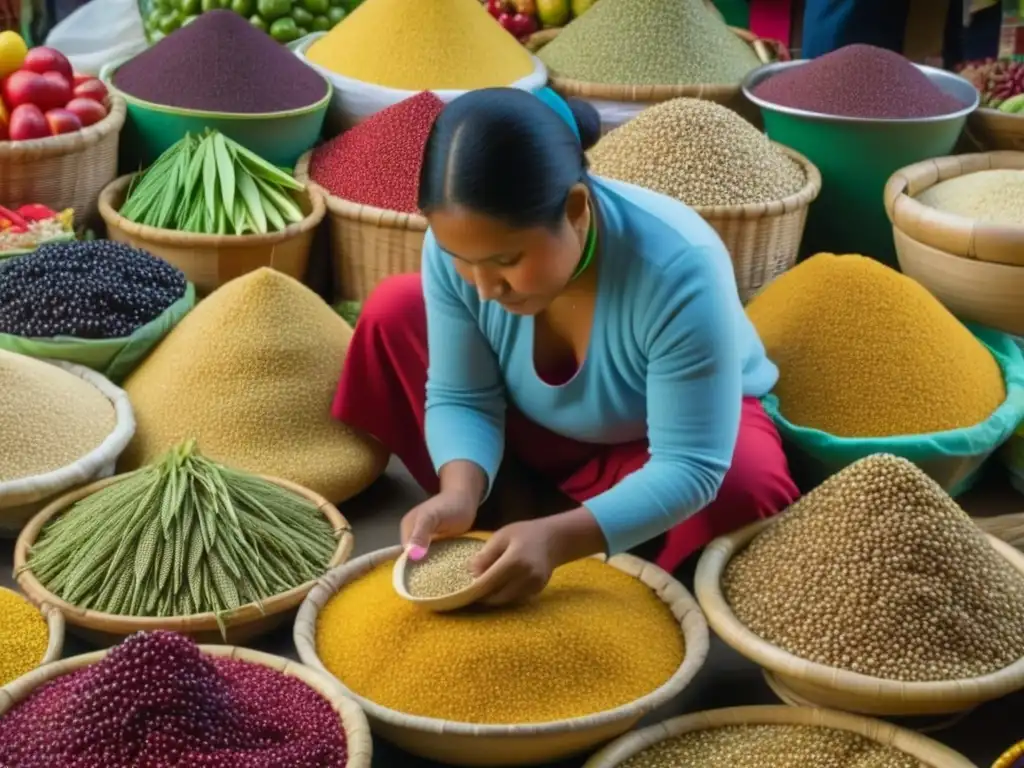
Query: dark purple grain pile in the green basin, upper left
[221, 63]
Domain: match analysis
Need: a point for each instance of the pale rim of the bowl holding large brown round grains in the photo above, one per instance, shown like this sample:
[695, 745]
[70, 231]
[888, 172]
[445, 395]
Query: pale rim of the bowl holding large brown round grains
[708, 585]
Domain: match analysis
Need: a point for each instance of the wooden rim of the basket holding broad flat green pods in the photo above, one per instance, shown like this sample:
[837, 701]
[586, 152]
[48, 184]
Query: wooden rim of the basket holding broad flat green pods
[112, 217]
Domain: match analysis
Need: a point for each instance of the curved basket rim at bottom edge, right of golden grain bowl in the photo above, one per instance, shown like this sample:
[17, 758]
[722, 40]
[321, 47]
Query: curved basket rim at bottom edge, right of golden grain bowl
[930, 753]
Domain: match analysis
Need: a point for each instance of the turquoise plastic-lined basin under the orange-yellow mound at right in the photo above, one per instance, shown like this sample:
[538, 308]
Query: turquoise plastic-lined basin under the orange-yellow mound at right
[952, 459]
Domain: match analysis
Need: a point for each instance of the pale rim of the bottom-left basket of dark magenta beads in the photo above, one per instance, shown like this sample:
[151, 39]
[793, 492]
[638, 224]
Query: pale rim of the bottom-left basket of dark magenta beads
[352, 717]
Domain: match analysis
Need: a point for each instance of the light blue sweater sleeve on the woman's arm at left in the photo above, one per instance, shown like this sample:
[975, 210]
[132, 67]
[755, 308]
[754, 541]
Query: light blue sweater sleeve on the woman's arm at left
[465, 411]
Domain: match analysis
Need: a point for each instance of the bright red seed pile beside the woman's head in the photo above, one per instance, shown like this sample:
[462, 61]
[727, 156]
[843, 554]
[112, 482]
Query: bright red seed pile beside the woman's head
[378, 162]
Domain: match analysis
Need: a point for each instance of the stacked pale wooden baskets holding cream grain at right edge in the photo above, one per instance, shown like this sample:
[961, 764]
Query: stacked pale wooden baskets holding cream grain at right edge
[976, 270]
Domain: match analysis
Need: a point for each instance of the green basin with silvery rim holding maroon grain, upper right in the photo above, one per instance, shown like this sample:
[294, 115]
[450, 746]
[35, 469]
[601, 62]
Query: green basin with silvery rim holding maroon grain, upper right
[857, 157]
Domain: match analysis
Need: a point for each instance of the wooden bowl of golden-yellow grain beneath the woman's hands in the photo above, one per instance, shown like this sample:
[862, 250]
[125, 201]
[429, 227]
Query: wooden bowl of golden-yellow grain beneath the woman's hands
[518, 687]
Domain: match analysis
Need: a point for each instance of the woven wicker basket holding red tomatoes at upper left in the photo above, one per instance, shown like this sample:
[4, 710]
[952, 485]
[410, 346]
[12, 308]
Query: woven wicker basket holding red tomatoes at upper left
[65, 172]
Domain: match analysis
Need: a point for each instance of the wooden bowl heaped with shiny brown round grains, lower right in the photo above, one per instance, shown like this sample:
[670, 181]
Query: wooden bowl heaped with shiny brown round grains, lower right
[884, 598]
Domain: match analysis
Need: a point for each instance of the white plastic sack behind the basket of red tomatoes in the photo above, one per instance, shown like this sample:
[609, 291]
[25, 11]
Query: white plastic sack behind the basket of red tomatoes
[99, 32]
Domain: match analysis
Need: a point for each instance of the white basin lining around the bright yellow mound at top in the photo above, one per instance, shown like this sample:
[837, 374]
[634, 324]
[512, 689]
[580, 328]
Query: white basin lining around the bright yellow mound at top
[355, 101]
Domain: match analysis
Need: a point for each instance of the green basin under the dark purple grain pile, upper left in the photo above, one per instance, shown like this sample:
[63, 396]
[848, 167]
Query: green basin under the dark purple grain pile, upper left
[279, 138]
